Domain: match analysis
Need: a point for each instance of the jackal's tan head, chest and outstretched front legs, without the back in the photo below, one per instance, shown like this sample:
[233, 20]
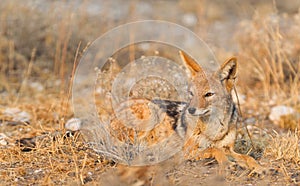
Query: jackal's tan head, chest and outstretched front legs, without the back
[215, 133]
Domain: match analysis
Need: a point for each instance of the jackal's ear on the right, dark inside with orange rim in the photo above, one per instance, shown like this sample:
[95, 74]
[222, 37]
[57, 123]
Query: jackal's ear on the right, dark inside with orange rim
[228, 72]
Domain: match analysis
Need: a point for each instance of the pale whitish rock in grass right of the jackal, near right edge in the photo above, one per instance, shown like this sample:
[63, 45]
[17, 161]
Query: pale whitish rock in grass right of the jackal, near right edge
[278, 111]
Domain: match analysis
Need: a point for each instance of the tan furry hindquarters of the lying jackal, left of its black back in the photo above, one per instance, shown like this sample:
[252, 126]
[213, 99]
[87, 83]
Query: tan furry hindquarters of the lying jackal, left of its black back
[145, 113]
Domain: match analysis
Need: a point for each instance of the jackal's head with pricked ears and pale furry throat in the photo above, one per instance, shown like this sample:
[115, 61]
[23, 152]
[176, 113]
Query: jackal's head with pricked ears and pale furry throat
[211, 95]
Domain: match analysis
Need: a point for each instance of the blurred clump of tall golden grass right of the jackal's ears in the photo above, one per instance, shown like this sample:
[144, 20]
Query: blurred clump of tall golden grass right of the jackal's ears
[269, 53]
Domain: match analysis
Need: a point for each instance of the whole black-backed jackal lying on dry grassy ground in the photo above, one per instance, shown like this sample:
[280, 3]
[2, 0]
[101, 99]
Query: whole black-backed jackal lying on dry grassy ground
[211, 105]
